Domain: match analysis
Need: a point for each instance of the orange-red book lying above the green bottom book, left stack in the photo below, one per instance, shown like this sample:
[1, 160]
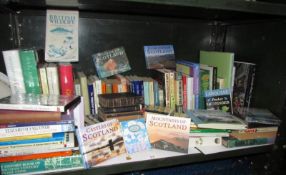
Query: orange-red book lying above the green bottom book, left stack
[35, 156]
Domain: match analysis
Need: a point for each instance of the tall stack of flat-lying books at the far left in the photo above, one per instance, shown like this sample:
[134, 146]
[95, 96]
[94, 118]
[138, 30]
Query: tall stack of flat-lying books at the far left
[37, 129]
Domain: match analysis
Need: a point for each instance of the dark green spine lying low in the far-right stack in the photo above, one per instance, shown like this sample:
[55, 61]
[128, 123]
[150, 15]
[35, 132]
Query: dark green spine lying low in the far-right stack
[230, 143]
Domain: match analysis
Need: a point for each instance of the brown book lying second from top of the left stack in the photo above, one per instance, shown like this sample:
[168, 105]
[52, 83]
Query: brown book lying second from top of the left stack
[22, 116]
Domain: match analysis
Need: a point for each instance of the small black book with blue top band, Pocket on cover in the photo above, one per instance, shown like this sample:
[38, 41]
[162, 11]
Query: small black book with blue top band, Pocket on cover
[218, 99]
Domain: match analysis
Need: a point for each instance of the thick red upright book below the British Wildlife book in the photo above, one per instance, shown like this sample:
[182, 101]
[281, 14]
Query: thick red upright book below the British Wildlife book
[66, 79]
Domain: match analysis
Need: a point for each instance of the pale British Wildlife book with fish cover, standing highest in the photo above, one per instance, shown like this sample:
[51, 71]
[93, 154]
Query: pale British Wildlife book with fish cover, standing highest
[61, 36]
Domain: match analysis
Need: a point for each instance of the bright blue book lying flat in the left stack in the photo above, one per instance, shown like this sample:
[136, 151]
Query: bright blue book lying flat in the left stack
[56, 137]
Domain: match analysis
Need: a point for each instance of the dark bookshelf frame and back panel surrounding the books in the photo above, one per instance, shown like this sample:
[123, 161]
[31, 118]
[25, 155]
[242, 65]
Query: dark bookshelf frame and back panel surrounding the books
[253, 30]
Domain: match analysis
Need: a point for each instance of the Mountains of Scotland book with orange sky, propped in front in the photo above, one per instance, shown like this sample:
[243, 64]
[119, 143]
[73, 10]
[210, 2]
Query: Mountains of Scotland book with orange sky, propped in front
[168, 132]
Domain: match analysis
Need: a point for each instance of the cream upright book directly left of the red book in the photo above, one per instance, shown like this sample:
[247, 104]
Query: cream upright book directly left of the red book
[53, 79]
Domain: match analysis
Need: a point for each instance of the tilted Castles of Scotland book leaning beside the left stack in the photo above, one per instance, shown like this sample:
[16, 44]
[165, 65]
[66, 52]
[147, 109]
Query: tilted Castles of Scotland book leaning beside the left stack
[100, 142]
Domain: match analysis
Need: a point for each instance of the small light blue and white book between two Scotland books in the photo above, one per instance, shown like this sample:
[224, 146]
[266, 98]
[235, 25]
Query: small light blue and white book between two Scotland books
[135, 135]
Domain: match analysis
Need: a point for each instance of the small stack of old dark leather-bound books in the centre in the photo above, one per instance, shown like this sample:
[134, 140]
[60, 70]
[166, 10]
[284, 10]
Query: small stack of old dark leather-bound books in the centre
[123, 106]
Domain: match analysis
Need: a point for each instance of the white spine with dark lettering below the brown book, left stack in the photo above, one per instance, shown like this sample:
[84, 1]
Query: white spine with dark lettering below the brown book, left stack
[31, 130]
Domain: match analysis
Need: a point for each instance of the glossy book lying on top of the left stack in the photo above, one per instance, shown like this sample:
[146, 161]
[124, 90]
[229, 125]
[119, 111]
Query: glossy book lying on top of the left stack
[39, 102]
